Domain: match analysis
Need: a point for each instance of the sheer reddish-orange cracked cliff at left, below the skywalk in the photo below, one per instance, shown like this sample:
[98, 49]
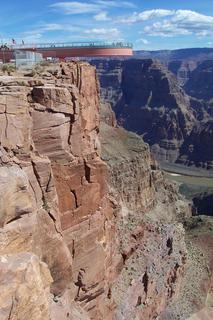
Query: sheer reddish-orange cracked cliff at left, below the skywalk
[54, 214]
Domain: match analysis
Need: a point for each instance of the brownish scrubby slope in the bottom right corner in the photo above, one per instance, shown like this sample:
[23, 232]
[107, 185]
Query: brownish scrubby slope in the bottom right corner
[195, 296]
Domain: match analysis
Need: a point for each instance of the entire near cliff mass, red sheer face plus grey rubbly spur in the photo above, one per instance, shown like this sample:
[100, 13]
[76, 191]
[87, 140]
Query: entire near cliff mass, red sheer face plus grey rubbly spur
[80, 238]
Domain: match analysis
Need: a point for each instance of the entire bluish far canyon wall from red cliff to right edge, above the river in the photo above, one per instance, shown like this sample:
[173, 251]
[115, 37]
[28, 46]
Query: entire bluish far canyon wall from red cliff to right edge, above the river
[166, 97]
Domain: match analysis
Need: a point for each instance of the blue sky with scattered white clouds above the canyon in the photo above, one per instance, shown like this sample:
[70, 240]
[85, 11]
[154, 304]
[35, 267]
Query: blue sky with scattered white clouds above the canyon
[148, 24]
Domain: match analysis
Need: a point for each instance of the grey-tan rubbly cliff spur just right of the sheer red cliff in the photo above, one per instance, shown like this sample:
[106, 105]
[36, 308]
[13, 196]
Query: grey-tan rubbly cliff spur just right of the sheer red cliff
[150, 249]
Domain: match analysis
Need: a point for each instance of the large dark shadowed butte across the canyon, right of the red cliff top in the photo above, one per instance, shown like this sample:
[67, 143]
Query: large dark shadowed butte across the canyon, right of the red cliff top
[152, 104]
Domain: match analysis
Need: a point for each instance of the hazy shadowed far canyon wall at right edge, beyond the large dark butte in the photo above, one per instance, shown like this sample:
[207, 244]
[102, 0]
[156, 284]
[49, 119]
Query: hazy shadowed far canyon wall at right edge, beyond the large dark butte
[197, 149]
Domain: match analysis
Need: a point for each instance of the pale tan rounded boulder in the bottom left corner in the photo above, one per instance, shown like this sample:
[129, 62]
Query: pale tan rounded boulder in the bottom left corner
[25, 287]
